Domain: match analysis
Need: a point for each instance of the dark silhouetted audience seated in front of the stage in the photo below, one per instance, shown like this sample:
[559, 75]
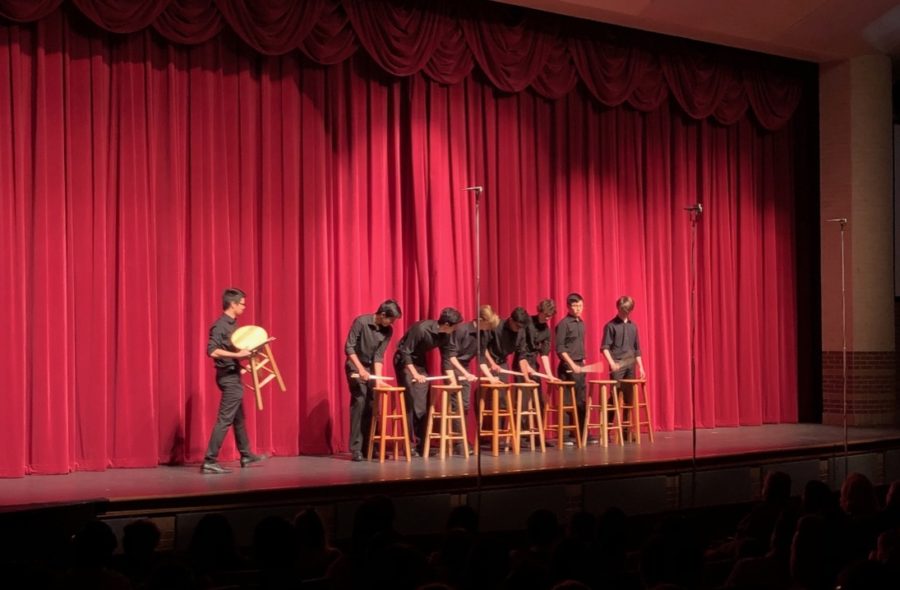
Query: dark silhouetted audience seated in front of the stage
[822, 540]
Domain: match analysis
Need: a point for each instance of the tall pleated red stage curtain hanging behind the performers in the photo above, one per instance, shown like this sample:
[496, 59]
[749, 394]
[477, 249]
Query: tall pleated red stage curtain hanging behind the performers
[138, 179]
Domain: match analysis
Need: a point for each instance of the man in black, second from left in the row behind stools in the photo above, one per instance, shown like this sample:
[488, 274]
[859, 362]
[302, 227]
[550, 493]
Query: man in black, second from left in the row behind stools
[409, 364]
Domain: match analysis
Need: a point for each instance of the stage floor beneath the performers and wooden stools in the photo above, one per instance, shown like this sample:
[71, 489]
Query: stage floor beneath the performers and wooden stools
[330, 478]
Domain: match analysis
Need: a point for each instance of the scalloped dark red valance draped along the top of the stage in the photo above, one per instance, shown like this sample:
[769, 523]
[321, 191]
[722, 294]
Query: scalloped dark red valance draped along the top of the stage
[516, 49]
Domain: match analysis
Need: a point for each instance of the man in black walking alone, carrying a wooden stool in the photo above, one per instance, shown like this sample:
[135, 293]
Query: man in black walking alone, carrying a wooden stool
[228, 378]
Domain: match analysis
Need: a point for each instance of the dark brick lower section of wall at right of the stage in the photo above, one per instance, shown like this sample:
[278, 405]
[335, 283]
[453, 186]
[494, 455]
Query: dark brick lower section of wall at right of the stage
[871, 387]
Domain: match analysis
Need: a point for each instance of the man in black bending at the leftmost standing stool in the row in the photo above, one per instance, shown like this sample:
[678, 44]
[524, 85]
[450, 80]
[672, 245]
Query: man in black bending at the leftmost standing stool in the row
[368, 338]
